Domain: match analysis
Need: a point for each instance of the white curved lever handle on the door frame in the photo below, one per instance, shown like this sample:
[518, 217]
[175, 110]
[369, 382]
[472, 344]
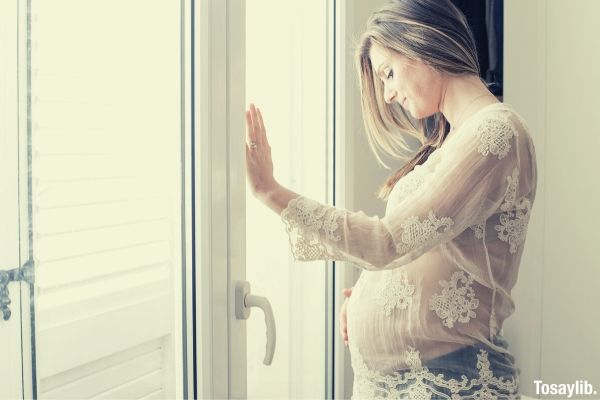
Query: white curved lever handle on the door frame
[244, 301]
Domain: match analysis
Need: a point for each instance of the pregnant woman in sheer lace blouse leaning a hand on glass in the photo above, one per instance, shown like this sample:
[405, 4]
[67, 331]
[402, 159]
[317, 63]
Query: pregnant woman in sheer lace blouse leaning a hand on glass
[424, 320]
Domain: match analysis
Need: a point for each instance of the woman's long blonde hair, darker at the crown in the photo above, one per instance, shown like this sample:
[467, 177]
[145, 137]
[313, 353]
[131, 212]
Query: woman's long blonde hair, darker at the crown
[433, 31]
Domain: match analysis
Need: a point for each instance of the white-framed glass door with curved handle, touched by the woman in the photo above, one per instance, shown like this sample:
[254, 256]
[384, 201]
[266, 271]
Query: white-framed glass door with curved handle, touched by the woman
[266, 327]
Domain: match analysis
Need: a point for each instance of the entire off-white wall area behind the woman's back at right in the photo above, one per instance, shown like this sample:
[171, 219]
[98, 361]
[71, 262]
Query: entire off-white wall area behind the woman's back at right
[552, 76]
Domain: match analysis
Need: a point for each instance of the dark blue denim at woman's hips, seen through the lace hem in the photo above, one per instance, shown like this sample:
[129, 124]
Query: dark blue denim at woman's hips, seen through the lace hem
[472, 372]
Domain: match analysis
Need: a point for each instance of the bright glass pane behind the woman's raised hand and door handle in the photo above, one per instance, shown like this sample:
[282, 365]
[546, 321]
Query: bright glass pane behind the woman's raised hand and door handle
[287, 77]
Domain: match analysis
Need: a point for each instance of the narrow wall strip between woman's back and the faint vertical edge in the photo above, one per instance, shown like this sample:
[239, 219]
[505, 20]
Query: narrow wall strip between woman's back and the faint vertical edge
[524, 88]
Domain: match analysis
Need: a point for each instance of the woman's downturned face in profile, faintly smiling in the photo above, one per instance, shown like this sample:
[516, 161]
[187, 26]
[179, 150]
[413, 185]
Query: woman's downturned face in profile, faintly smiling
[412, 84]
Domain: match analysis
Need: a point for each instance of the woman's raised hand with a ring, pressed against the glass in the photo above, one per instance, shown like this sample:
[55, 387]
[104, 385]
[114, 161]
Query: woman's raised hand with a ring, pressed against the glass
[259, 166]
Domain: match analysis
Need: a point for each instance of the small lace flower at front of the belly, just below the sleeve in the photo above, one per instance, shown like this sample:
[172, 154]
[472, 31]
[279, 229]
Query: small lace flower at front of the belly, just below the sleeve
[395, 291]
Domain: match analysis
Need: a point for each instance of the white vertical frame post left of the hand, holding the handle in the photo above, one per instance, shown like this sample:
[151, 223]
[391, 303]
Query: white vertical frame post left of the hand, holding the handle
[220, 225]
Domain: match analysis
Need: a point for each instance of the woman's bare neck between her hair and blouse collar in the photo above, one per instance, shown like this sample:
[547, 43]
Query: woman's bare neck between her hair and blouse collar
[463, 96]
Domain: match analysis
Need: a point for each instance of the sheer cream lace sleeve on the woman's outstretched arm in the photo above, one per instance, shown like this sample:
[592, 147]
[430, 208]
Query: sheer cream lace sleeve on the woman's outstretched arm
[467, 185]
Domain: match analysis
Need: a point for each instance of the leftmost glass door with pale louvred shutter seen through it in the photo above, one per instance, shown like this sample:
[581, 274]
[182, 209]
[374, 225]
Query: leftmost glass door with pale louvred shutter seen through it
[102, 158]
